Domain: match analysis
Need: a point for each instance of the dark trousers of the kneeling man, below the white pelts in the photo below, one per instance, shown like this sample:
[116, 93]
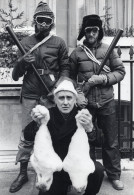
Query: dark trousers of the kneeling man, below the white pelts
[61, 182]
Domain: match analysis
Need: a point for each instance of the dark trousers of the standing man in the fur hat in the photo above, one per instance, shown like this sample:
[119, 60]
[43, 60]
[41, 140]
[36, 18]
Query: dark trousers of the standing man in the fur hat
[110, 150]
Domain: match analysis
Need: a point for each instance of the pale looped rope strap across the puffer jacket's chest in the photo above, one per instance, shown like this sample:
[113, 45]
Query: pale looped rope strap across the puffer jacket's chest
[93, 58]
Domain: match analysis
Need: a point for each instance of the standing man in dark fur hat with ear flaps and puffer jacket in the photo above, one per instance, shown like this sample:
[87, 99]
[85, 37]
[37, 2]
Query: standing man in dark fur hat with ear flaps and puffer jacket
[85, 62]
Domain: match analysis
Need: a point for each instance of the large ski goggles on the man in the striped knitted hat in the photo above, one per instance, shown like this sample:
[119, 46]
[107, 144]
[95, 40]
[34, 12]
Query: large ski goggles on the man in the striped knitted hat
[44, 20]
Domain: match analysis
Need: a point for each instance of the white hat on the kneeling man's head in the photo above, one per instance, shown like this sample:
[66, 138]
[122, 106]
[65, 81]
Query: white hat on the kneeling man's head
[65, 85]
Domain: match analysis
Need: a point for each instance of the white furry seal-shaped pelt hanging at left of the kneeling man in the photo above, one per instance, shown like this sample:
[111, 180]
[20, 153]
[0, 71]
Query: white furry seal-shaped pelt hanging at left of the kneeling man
[44, 159]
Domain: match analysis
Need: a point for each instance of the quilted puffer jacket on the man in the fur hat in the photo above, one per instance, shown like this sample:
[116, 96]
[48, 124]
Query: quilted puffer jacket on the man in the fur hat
[82, 68]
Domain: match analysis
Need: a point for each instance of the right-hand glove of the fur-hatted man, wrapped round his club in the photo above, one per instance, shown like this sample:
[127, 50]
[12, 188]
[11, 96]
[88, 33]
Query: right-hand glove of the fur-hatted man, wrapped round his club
[97, 80]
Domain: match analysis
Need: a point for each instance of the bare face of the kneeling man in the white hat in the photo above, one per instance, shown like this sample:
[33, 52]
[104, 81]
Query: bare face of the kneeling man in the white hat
[65, 101]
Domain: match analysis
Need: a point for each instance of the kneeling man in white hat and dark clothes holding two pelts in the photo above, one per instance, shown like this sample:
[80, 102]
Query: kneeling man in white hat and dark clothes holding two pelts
[63, 124]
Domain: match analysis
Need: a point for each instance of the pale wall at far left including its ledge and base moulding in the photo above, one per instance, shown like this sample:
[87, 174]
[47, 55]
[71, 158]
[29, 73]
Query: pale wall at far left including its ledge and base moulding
[10, 122]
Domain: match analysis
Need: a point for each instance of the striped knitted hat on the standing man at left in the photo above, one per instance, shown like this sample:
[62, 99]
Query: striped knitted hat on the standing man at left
[43, 9]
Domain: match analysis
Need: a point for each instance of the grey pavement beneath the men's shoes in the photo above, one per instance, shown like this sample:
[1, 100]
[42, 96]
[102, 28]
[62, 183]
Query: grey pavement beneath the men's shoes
[9, 171]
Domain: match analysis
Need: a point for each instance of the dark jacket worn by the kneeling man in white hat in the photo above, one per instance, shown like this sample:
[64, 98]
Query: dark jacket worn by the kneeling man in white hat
[61, 130]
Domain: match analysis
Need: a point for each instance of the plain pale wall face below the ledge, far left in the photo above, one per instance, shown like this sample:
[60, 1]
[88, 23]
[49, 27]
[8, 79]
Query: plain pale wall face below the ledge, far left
[10, 123]
